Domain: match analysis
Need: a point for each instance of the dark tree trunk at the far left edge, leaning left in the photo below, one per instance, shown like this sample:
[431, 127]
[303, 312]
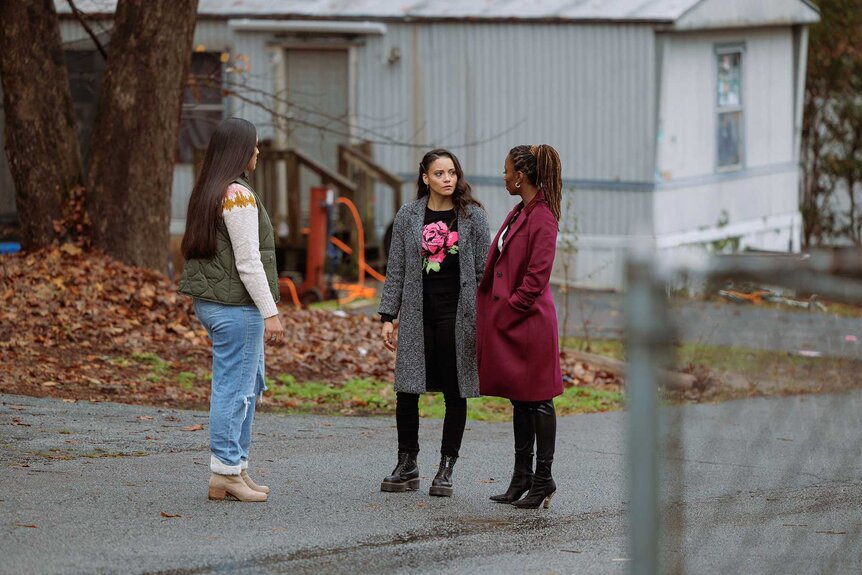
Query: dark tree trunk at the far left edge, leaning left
[41, 144]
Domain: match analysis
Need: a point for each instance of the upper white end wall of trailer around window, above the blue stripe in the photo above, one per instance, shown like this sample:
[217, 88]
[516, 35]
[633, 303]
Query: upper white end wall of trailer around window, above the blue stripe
[688, 117]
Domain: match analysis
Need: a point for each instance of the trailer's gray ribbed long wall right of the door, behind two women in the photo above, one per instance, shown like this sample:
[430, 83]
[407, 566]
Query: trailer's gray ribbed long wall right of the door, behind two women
[480, 89]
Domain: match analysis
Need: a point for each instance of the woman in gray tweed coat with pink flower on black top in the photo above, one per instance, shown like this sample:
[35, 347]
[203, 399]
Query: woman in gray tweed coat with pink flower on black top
[436, 260]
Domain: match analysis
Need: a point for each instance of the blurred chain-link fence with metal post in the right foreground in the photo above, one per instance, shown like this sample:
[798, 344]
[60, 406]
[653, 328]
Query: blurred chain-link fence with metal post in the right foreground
[753, 464]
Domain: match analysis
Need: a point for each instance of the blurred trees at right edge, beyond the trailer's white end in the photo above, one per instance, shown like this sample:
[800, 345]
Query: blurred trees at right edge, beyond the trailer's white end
[832, 126]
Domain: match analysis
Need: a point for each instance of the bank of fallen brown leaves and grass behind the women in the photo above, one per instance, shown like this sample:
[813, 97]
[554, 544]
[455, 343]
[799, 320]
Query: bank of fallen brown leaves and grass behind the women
[80, 326]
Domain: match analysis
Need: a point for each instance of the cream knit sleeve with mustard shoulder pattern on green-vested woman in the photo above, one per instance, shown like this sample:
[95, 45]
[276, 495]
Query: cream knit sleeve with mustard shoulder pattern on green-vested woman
[240, 216]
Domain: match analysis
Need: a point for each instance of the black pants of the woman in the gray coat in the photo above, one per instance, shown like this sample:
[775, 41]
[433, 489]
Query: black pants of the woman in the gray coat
[441, 374]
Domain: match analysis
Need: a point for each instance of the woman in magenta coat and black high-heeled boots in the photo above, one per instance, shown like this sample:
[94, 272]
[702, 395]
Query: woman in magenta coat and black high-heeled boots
[517, 344]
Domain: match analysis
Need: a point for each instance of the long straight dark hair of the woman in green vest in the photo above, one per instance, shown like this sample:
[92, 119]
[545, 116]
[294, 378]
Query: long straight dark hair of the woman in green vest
[230, 149]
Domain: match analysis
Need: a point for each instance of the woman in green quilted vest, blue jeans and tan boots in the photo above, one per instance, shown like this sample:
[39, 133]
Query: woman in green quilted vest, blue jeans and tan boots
[230, 272]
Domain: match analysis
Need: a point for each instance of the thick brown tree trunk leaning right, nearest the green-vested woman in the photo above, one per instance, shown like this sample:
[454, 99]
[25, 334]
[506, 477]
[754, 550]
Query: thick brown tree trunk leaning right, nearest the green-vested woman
[134, 139]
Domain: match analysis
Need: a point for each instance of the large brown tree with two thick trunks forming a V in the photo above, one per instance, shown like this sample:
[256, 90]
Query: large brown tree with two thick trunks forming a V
[132, 150]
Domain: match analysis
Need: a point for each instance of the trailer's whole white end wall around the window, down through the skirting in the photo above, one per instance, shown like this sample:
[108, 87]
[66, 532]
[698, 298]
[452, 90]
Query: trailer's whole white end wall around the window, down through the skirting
[691, 195]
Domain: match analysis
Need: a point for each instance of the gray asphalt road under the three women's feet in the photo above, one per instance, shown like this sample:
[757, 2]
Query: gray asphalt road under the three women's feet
[759, 486]
